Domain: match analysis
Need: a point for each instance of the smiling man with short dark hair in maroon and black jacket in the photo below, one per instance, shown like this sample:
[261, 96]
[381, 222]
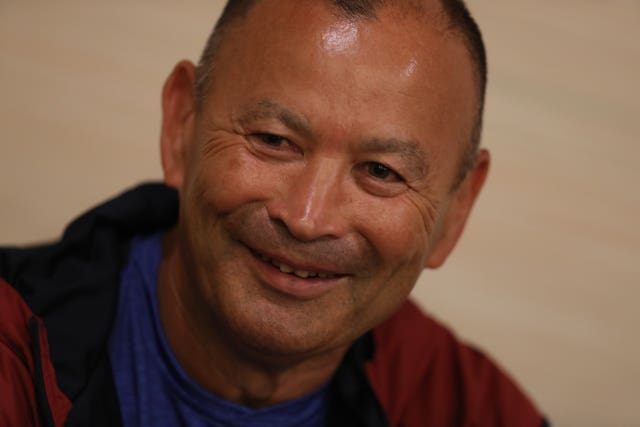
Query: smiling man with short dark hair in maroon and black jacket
[321, 155]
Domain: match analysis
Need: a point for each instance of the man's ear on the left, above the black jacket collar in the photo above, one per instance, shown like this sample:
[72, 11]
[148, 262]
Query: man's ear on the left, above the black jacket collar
[178, 111]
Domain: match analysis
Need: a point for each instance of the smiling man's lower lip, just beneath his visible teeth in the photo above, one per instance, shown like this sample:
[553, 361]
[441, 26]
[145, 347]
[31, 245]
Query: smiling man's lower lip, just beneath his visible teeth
[291, 284]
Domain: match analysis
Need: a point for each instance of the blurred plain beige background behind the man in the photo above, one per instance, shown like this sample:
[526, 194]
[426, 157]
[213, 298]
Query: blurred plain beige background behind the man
[547, 276]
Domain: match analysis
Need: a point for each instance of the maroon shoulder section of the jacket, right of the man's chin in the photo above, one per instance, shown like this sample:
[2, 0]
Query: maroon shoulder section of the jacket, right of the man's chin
[423, 375]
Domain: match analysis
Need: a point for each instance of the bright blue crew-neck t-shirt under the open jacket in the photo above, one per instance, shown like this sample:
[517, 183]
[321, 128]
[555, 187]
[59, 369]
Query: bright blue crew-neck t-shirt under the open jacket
[152, 387]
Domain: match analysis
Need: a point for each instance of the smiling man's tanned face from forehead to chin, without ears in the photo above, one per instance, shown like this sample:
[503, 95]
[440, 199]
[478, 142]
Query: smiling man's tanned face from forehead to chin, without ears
[317, 182]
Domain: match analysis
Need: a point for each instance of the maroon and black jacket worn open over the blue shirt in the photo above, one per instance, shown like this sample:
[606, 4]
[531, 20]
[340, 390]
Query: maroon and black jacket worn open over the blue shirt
[57, 304]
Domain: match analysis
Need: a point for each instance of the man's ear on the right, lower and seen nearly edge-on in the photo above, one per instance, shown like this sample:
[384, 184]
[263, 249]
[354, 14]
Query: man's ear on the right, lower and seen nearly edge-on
[458, 211]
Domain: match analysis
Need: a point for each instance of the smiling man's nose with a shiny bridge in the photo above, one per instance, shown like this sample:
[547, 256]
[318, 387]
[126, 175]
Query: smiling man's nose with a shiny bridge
[310, 203]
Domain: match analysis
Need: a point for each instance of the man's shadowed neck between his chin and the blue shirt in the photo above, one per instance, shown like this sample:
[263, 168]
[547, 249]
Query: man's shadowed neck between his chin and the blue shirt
[234, 371]
